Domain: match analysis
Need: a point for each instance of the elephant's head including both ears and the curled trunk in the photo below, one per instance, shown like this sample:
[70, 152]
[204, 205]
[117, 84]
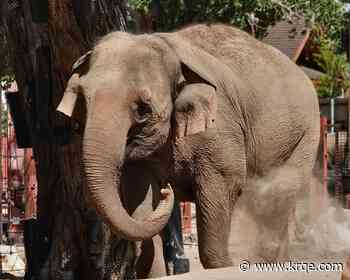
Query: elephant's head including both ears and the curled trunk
[132, 85]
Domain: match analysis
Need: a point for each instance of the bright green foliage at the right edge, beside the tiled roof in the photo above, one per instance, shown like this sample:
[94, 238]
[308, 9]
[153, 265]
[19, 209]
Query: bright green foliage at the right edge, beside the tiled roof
[336, 68]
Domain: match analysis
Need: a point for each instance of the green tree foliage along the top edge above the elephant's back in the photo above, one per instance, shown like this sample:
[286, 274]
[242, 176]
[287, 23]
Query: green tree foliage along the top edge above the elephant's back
[250, 15]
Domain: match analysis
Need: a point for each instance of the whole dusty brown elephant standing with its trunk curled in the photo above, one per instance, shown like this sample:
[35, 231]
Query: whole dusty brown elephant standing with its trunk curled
[206, 108]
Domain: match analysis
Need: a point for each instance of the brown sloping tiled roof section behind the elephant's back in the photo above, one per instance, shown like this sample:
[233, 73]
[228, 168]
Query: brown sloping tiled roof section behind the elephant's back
[289, 36]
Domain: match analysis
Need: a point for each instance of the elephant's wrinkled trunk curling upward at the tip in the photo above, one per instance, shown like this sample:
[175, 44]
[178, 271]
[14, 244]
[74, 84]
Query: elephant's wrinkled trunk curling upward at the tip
[103, 153]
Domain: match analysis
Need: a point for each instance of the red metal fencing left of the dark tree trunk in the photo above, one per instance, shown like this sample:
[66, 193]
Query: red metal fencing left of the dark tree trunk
[17, 182]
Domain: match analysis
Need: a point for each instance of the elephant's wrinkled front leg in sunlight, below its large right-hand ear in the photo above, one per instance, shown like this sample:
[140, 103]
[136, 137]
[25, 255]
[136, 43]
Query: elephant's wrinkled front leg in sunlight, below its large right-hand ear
[215, 166]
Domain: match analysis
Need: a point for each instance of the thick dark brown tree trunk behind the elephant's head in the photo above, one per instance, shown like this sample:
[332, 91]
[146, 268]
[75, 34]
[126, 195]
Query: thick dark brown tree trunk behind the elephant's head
[46, 38]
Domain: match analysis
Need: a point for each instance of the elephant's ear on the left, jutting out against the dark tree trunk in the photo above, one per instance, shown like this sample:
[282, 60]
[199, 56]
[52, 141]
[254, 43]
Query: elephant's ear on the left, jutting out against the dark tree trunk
[70, 95]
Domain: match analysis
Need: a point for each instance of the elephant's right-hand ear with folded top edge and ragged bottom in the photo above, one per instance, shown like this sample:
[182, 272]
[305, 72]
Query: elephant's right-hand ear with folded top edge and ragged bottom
[196, 100]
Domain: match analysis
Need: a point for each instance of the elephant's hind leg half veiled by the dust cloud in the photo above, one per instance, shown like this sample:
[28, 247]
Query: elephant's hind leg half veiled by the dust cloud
[282, 195]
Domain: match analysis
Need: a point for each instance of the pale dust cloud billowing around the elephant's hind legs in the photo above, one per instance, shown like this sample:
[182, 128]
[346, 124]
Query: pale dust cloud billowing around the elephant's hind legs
[318, 229]
